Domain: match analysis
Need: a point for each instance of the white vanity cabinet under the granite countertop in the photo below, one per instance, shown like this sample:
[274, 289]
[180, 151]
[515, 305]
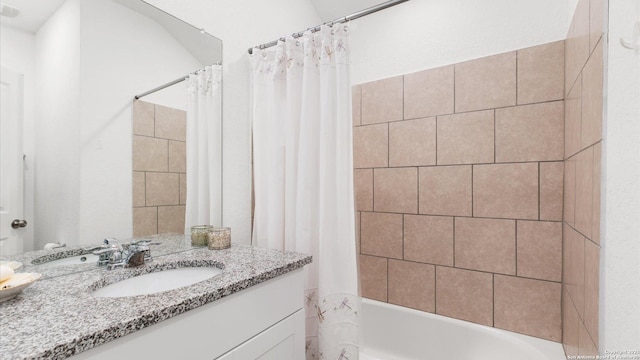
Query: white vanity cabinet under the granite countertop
[265, 321]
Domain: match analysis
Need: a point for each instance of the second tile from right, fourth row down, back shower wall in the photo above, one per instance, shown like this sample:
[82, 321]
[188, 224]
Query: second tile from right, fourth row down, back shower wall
[485, 245]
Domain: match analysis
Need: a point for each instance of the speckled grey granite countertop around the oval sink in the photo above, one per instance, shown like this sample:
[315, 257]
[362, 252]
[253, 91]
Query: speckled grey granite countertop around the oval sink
[57, 317]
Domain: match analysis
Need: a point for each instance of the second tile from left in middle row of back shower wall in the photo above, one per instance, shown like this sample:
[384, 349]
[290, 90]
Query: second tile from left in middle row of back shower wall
[396, 190]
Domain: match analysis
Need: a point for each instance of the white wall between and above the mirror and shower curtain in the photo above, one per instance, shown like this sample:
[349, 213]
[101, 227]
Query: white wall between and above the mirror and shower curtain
[240, 24]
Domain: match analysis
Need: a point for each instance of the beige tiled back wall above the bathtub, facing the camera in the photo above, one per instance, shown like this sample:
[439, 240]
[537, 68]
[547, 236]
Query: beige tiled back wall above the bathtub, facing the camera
[459, 189]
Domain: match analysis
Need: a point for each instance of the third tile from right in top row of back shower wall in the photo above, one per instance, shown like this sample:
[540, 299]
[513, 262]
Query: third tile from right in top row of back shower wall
[428, 93]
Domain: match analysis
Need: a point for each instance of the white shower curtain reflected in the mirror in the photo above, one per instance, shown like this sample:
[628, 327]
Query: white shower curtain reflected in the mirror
[204, 148]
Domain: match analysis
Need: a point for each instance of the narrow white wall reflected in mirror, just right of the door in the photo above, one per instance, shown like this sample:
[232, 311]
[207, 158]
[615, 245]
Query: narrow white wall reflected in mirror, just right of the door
[57, 176]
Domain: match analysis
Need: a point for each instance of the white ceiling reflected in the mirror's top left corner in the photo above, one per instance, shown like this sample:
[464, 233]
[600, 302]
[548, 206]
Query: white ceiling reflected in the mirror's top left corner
[33, 13]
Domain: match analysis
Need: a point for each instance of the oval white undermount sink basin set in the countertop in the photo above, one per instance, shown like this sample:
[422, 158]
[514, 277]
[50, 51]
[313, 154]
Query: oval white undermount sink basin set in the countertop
[157, 282]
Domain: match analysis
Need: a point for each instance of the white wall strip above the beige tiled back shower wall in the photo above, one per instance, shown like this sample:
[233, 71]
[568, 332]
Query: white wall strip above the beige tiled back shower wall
[423, 34]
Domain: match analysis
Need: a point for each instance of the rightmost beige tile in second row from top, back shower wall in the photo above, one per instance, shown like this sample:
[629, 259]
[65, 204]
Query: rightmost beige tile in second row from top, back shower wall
[530, 132]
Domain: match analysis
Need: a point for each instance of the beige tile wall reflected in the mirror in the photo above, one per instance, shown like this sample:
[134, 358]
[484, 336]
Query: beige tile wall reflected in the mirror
[159, 169]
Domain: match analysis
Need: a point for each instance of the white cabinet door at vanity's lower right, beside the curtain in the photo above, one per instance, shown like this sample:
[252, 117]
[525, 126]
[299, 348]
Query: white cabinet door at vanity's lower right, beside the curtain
[279, 342]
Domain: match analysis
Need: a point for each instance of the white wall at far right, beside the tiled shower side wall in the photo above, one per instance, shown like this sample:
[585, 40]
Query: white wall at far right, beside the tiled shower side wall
[620, 230]
